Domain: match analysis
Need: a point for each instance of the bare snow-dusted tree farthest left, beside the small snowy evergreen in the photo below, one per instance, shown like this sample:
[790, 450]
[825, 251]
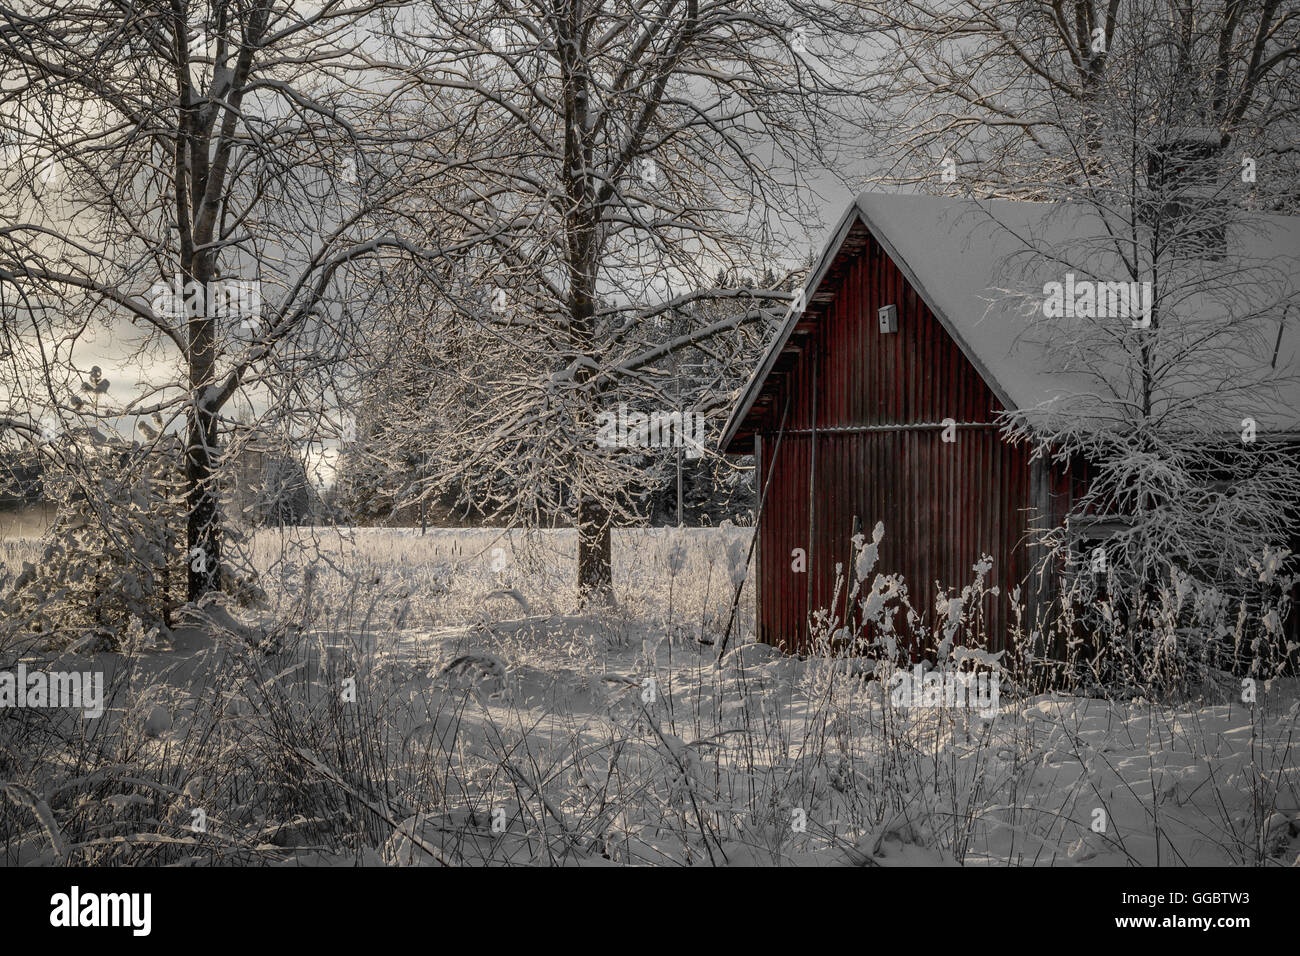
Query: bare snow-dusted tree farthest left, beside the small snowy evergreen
[198, 181]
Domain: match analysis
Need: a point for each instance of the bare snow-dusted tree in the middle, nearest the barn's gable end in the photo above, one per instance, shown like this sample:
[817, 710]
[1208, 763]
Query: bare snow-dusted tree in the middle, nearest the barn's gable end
[621, 155]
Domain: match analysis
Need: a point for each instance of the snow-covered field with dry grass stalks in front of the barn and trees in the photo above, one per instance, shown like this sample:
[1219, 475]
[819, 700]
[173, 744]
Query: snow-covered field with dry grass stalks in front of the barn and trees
[437, 699]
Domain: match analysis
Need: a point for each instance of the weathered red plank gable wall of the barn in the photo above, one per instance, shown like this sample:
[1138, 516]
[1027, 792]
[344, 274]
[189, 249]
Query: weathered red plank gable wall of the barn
[943, 504]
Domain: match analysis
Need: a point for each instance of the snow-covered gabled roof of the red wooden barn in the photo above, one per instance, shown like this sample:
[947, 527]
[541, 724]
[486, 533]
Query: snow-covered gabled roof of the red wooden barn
[980, 267]
